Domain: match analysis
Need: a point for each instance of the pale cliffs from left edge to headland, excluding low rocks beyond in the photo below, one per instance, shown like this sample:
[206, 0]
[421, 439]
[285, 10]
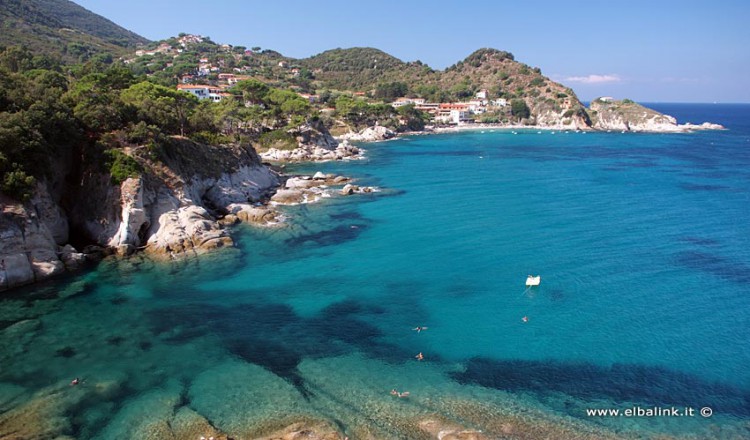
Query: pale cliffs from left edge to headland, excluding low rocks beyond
[174, 208]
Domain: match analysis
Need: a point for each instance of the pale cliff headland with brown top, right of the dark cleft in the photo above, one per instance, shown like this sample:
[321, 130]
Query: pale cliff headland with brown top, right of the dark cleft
[173, 208]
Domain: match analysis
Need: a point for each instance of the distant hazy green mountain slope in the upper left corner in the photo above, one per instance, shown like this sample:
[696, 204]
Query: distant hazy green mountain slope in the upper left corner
[62, 28]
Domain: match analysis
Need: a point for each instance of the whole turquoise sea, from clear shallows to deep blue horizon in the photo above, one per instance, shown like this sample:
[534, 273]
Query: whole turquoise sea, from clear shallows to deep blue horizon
[641, 241]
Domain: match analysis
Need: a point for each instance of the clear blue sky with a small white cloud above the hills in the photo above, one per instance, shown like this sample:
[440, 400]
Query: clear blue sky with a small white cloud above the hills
[648, 51]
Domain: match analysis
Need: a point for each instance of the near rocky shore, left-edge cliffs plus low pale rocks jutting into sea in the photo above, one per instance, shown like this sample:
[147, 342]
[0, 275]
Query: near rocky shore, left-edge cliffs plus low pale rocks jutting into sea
[175, 209]
